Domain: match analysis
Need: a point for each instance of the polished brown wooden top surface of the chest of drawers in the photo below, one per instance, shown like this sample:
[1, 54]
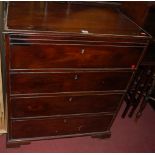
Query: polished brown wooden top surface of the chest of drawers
[63, 17]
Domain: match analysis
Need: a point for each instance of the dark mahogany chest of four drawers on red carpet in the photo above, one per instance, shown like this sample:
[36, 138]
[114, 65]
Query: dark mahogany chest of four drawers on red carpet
[68, 67]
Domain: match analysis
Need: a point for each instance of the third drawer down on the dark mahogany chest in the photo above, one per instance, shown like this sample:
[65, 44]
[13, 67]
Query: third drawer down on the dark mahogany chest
[61, 105]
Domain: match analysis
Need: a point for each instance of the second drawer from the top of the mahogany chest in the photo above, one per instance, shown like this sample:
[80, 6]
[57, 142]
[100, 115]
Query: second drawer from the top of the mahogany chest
[55, 82]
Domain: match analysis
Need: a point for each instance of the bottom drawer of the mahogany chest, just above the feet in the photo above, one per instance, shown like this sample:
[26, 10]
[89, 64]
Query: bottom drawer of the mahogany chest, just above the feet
[59, 126]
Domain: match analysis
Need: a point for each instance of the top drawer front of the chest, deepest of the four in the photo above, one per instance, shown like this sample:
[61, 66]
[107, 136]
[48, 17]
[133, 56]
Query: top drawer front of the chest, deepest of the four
[34, 56]
